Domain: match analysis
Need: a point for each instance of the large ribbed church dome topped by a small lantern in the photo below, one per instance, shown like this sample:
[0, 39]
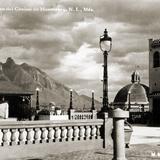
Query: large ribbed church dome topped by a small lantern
[137, 91]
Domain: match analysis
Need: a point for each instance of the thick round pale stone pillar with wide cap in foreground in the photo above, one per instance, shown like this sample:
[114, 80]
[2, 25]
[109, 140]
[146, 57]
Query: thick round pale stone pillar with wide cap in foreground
[118, 135]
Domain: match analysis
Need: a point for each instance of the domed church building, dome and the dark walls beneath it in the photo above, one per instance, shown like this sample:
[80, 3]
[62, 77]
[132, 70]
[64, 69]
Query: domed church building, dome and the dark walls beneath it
[134, 98]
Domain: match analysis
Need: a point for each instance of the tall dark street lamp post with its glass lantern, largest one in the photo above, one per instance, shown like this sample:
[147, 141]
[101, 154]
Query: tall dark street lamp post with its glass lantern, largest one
[105, 44]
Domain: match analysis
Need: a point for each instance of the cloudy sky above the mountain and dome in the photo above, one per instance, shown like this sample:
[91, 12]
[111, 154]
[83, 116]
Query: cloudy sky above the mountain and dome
[61, 37]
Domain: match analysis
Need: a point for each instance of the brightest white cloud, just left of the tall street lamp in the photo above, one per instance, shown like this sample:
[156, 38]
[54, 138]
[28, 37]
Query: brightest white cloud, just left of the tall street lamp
[80, 64]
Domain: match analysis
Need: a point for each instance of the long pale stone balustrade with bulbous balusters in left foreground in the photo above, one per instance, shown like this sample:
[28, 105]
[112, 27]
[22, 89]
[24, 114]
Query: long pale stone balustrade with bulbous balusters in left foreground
[47, 132]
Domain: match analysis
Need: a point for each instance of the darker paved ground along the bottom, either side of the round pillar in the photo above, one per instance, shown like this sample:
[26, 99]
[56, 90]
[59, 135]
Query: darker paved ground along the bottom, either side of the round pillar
[135, 152]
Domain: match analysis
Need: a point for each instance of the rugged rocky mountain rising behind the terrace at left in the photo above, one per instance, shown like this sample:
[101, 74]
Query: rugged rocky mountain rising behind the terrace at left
[29, 78]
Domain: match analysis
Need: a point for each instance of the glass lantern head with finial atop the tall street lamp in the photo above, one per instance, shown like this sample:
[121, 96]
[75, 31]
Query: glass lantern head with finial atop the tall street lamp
[105, 42]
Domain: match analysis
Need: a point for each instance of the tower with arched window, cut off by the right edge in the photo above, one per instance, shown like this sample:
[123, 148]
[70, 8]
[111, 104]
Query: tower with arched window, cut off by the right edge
[154, 79]
